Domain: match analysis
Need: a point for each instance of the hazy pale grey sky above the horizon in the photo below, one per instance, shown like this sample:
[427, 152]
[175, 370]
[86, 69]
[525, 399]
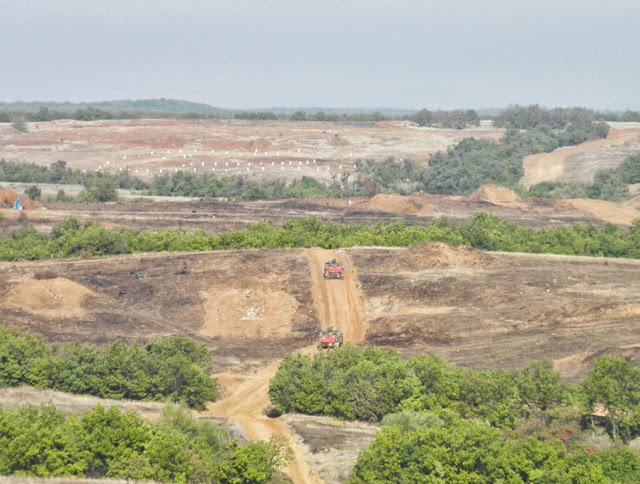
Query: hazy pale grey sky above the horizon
[333, 53]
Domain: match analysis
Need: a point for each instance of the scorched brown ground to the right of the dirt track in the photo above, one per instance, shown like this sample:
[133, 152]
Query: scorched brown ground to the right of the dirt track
[500, 310]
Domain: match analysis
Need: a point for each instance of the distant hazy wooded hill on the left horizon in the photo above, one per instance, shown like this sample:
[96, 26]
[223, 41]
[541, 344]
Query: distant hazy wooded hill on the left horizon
[142, 105]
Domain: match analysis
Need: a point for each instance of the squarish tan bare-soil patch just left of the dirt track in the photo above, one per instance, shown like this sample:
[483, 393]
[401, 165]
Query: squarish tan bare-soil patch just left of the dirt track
[247, 313]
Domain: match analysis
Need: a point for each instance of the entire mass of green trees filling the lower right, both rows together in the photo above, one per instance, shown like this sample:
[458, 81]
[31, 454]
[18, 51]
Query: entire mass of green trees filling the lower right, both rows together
[452, 424]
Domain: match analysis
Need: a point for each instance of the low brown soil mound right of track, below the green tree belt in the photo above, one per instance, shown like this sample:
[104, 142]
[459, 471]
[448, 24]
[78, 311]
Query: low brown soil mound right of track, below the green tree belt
[437, 255]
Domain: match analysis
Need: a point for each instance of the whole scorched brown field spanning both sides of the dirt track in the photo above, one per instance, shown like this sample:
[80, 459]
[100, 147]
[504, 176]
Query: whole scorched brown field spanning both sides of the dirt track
[484, 310]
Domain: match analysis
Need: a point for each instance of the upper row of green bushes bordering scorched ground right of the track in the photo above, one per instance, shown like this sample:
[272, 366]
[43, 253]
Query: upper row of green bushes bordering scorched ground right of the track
[371, 383]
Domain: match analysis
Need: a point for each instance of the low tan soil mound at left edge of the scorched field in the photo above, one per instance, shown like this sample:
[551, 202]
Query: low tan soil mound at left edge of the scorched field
[56, 298]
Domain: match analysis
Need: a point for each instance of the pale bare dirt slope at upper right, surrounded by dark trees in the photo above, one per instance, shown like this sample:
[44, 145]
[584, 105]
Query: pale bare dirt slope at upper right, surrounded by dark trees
[581, 162]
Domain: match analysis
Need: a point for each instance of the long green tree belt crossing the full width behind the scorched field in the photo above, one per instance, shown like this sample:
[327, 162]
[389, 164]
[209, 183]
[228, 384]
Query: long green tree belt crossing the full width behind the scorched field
[483, 231]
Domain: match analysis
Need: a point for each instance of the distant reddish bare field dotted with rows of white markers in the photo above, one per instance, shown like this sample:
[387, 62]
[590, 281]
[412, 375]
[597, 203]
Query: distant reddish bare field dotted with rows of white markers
[271, 149]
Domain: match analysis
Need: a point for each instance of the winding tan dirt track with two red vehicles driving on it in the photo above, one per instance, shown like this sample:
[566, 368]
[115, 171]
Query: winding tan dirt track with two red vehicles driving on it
[338, 303]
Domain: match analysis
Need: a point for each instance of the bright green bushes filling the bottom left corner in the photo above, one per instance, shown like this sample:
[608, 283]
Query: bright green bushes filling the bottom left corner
[108, 443]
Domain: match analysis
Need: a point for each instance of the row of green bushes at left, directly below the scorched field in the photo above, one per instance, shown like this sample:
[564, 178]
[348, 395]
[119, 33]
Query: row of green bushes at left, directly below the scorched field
[175, 369]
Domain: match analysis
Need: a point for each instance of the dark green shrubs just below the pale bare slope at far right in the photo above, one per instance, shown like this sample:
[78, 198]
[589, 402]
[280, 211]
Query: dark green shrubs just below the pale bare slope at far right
[609, 184]
